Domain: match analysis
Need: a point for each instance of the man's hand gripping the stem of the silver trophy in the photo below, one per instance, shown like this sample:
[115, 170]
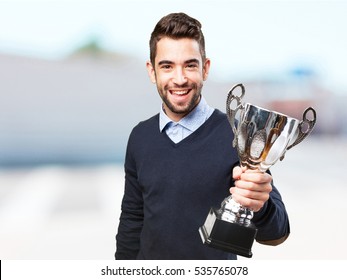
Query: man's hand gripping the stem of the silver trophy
[252, 188]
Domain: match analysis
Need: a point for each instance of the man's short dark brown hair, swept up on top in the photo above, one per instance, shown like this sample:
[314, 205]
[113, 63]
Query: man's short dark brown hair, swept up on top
[177, 26]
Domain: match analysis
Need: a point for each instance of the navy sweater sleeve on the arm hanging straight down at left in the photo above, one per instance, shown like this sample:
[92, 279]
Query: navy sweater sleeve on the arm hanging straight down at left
[131, 218]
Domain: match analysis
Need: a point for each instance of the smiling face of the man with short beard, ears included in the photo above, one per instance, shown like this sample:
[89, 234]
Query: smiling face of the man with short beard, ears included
[179, 73]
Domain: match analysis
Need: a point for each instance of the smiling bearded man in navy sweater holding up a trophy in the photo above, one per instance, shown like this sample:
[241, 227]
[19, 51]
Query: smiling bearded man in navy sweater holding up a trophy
[181, 161]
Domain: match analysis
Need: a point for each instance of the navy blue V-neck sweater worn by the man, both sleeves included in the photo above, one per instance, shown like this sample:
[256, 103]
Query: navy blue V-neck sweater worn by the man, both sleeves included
[170, 188]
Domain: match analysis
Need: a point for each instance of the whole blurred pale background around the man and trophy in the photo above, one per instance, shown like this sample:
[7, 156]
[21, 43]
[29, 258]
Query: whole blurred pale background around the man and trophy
[73, 83]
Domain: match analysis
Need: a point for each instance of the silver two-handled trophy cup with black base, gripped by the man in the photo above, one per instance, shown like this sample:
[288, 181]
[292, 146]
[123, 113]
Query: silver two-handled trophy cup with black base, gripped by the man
[261, 138]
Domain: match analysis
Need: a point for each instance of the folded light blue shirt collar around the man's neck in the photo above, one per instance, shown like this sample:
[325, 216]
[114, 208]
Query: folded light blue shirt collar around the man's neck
[192, 121]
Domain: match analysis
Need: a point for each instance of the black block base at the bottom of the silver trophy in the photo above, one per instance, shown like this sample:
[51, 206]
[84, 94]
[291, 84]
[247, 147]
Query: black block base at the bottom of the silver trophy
[227, 236]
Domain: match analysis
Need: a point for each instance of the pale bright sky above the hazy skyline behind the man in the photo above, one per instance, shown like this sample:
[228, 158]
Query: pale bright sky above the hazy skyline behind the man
[252, 38]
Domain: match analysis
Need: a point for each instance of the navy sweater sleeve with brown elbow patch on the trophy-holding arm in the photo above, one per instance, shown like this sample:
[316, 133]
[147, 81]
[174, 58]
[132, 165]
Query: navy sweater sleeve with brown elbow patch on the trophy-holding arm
[272, 220]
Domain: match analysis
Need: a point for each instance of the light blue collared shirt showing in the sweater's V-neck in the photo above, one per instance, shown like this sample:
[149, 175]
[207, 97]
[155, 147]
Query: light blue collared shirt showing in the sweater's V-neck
[177, 131]
